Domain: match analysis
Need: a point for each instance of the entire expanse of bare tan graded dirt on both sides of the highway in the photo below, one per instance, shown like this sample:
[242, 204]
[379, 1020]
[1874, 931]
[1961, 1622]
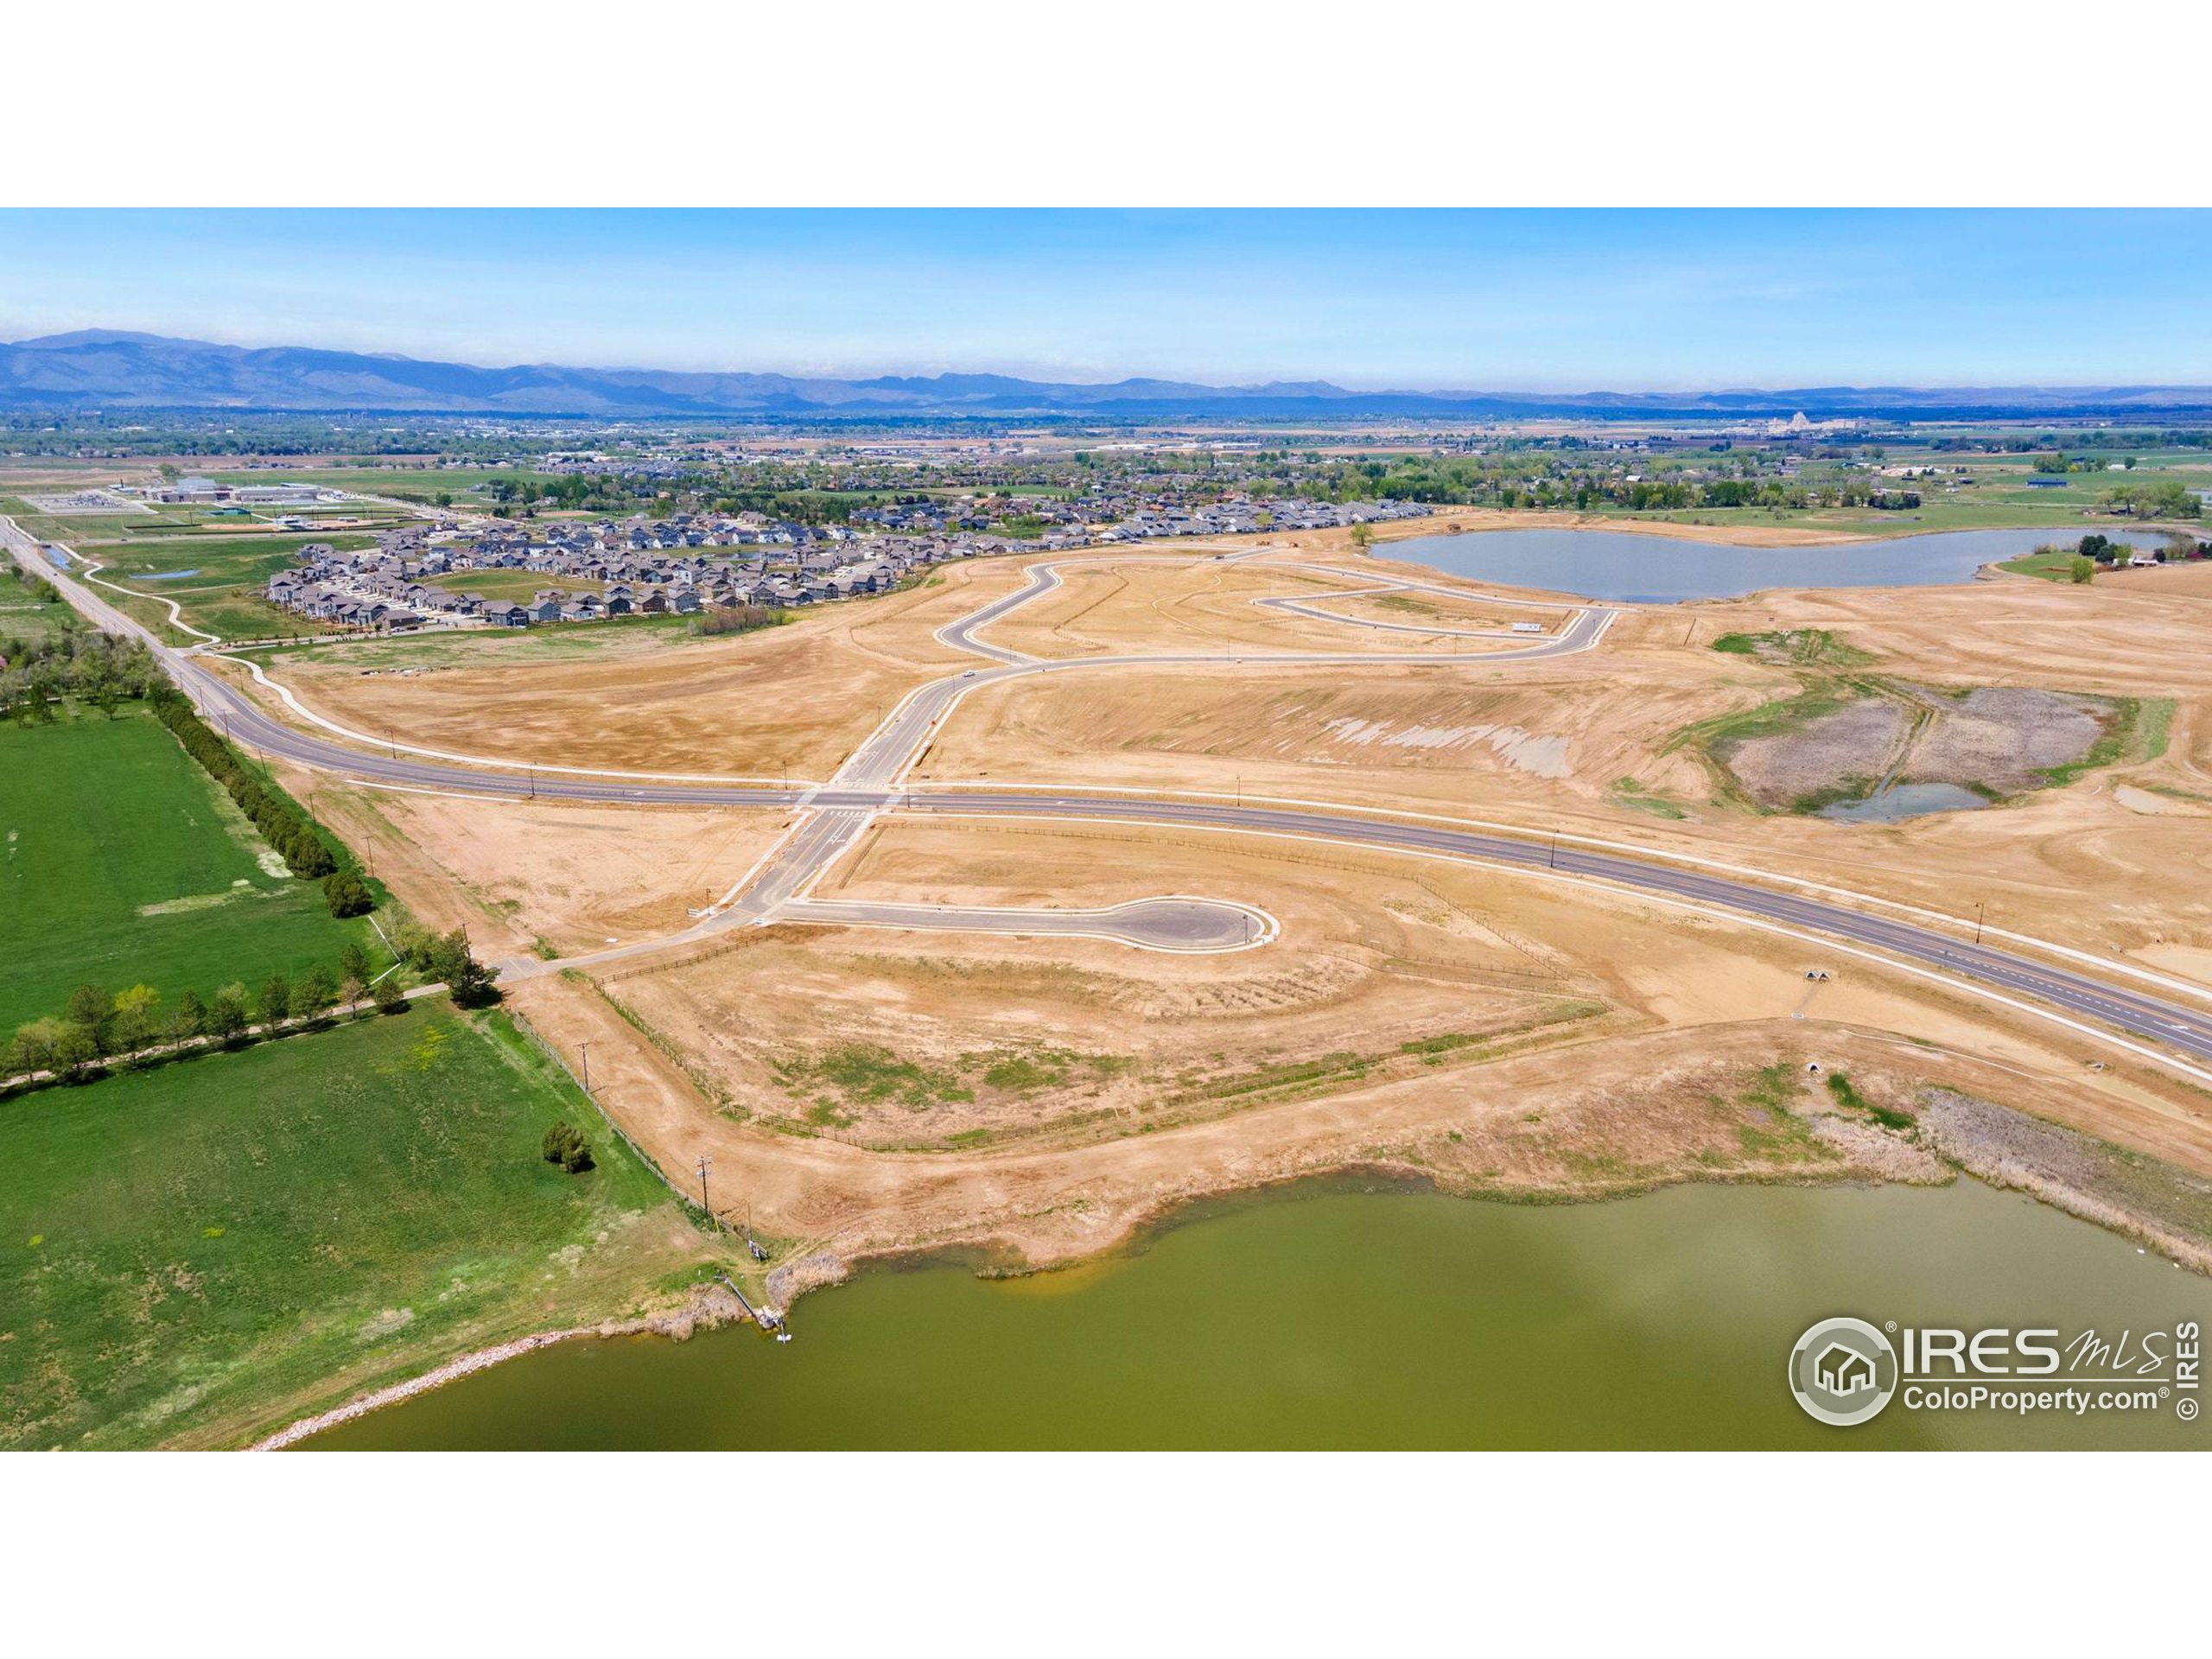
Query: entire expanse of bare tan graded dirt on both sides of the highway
[870, 1089]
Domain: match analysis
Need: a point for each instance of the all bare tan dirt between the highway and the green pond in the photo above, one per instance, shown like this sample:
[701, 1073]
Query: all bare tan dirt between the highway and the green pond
[1373, 959]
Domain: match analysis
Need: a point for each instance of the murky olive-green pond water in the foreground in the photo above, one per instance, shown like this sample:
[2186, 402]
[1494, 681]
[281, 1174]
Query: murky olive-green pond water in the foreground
[1366, 1319]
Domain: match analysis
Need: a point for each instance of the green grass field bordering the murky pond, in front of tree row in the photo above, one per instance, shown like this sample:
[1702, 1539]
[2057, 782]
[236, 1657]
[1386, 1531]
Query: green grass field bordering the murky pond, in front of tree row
[213, 1249]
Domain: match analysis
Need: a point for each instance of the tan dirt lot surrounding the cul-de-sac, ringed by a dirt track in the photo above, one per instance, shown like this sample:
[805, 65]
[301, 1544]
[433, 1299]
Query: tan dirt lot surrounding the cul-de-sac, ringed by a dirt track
[1081, 1039]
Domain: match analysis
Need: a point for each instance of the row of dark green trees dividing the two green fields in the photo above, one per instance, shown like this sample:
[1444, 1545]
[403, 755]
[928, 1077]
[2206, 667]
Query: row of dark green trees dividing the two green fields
[136, 1025]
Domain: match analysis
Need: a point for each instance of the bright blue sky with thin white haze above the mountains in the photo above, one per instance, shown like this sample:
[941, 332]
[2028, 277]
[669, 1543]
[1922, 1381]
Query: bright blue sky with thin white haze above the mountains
[1368, 300]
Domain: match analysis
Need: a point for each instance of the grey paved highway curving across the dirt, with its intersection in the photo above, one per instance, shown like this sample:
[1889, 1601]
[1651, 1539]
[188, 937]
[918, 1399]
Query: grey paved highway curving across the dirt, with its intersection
[839, 811]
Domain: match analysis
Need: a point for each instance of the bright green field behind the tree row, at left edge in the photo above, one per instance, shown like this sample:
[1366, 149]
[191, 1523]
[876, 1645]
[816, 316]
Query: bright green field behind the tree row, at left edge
[129, 866]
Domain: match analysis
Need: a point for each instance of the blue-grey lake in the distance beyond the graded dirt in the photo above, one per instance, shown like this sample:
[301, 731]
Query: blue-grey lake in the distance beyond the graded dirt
[1662, 570]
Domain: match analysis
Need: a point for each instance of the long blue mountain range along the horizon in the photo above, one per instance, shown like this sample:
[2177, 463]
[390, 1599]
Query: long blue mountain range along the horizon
[114, 371]
